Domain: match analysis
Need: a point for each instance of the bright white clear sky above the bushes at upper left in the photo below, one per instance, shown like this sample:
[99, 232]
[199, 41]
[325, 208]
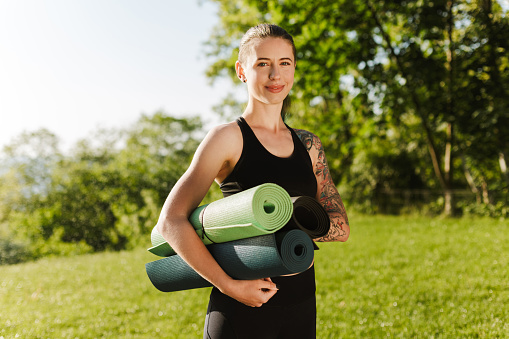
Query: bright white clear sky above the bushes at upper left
[71, 66]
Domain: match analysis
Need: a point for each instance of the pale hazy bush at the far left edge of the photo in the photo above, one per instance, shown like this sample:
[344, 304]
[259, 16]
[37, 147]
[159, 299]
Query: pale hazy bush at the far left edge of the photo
[25, 183]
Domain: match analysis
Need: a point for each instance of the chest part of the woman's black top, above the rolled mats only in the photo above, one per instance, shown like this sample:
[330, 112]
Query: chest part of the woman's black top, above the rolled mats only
[257, 166]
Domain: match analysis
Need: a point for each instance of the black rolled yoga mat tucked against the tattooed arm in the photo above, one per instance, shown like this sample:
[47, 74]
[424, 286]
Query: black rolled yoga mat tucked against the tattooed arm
[309, 216]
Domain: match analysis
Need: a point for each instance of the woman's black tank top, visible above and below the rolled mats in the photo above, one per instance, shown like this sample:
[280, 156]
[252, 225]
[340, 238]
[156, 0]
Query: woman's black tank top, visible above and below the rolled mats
[256, 166]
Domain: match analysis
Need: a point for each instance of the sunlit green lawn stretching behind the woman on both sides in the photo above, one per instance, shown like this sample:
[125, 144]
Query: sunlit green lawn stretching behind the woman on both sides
[403, 277]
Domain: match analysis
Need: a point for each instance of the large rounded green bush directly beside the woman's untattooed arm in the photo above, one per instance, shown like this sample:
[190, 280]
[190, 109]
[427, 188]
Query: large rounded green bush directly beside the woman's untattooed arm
[111, 195]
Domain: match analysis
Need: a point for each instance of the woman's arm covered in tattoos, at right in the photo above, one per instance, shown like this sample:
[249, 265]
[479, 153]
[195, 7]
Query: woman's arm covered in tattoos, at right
[327, 193]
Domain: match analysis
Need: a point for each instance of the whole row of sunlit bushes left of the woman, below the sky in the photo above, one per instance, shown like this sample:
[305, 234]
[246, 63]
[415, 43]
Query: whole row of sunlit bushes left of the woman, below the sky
[106, 194]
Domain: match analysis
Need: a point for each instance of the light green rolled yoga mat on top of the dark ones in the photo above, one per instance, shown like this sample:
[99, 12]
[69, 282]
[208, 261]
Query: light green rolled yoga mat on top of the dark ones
[263, 209]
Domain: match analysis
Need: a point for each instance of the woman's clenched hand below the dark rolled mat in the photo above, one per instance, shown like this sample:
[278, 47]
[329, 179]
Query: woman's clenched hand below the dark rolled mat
[252, 293]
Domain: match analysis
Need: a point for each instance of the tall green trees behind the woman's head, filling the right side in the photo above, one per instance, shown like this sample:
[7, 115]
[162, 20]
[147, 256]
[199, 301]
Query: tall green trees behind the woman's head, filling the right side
[387, 82]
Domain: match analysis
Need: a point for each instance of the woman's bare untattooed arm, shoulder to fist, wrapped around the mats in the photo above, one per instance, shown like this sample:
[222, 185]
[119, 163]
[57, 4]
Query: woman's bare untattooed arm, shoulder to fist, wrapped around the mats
[212, 156]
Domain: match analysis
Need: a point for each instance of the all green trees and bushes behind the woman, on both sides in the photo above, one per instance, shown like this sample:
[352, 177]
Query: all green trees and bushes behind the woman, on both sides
[406, 96]
